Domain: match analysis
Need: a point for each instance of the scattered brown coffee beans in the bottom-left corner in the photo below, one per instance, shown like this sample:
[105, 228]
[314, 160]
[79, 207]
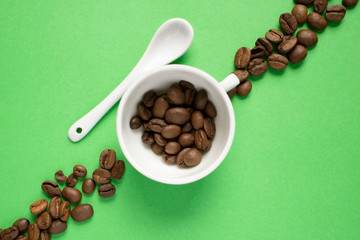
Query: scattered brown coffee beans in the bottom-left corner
[54, 221]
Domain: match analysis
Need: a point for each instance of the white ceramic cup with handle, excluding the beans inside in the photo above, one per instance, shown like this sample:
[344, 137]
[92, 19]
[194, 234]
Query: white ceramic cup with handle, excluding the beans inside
[141, 156]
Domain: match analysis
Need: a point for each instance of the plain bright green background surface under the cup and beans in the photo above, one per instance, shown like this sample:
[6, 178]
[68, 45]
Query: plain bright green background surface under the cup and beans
[293, 169]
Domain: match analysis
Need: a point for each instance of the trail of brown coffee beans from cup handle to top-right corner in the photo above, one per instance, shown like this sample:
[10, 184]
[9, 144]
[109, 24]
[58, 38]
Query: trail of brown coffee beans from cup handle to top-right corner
[277, 48]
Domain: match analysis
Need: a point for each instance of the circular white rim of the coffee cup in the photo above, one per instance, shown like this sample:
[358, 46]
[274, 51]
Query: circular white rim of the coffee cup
[225, 99]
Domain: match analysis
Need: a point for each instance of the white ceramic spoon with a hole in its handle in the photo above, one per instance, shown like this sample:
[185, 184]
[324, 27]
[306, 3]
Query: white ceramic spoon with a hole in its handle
[171, 40]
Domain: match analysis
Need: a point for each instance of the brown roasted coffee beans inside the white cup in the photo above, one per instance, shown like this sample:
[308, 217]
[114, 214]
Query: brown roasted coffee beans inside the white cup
[179, 125]
